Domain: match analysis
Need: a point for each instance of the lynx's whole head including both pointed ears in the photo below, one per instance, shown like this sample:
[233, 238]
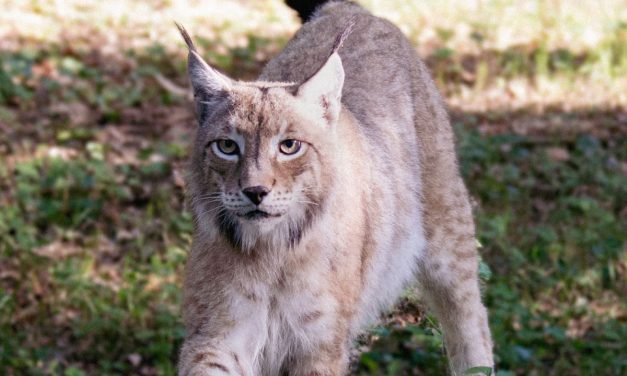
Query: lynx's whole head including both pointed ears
[262, 160]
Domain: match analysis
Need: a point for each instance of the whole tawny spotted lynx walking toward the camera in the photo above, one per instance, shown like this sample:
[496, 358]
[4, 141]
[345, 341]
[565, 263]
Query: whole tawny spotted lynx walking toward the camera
[320, 192]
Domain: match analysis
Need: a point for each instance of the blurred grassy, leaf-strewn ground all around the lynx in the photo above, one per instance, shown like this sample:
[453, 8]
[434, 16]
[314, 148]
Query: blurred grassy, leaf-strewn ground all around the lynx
[93, 139]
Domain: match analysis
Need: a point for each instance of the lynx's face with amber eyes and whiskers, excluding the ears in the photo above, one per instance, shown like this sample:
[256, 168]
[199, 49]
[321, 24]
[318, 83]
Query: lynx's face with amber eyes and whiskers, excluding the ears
[260, 156]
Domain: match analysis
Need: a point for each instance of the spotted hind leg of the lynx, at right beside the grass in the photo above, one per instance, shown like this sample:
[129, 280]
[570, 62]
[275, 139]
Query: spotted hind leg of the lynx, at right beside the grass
[448, 274]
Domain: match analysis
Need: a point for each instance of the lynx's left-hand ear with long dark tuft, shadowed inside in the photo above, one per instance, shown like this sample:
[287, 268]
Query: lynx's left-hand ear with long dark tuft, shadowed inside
[211, 88]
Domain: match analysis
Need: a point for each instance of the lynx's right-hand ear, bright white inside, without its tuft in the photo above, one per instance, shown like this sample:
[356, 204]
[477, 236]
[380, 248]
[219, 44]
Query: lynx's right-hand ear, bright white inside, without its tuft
[324, 88]
